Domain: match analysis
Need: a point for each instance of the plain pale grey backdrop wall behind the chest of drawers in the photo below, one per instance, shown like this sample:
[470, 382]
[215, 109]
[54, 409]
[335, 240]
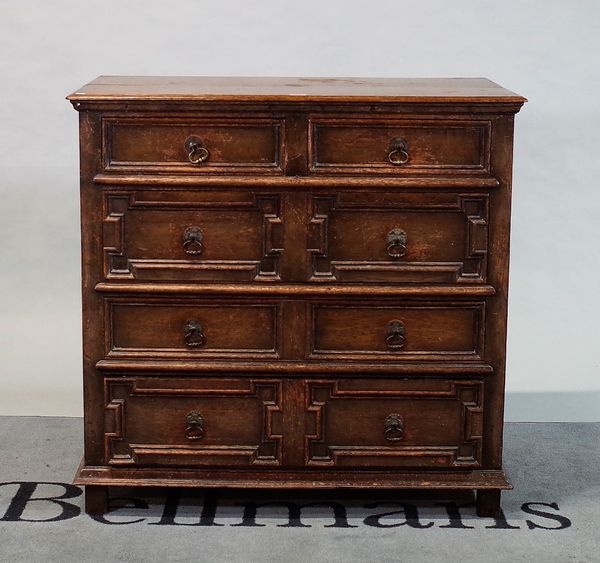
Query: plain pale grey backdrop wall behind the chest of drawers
[546, 50]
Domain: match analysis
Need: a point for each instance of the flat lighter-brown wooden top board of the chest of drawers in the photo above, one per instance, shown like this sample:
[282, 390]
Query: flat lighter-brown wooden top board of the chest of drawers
[281, 89]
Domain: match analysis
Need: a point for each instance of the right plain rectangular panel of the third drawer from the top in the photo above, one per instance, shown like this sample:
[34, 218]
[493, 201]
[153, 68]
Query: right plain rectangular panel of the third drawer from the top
[434, 330]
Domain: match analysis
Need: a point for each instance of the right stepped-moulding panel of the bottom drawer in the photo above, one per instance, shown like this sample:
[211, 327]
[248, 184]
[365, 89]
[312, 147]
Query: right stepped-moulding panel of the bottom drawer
[394, 423]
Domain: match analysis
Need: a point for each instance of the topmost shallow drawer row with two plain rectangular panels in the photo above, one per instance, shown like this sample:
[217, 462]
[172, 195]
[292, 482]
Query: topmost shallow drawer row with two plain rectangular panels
[254, 144]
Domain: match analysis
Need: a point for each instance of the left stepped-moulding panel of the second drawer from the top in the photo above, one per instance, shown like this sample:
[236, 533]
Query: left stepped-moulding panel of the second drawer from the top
[191, 235]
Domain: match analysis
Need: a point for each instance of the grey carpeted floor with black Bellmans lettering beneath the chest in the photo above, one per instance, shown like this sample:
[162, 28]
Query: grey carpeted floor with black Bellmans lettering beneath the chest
[553, 514]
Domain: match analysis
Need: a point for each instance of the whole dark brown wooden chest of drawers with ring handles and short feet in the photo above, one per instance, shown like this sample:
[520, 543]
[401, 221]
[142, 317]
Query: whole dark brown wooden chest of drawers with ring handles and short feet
[295, 283]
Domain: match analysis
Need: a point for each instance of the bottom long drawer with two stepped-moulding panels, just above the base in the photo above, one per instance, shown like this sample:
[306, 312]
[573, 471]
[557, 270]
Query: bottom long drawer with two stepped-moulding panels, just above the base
[344, 423]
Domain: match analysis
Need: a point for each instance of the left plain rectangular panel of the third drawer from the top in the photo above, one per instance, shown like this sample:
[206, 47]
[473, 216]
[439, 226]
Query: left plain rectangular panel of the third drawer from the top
[192, 328]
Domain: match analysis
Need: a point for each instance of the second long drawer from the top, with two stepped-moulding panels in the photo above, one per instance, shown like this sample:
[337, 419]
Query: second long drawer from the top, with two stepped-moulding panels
[238, 236]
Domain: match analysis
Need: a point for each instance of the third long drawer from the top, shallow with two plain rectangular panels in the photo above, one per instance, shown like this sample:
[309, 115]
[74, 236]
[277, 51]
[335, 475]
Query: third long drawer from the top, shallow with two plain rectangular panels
[287, 328]
